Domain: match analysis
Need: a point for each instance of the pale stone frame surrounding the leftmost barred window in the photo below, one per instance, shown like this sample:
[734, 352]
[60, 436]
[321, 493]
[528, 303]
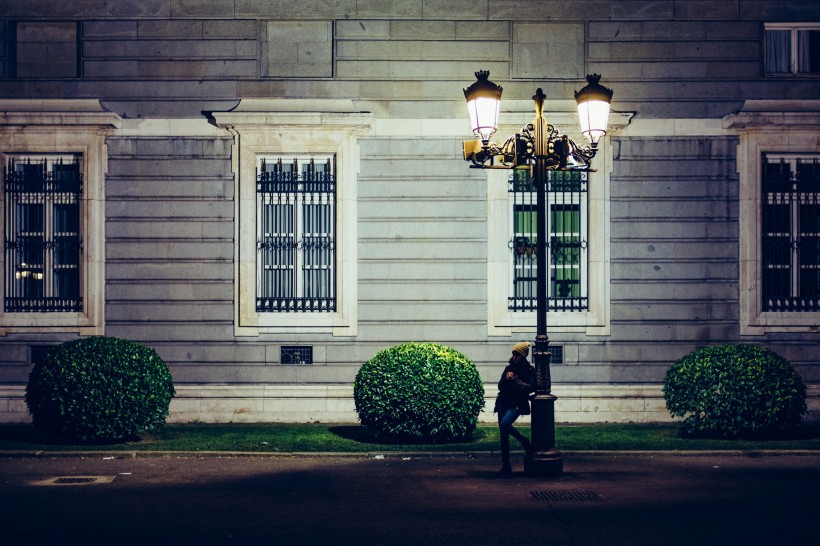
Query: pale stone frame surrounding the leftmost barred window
[65, 127]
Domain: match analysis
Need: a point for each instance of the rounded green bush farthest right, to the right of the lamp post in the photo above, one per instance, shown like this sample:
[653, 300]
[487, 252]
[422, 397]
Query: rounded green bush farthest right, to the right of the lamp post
[734, 390]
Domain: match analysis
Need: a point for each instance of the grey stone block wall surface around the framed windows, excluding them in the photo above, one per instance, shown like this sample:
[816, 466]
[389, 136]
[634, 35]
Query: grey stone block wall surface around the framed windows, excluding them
[163, 66]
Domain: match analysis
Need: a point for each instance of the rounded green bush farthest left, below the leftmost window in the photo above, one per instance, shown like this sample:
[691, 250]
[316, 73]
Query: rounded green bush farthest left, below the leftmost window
[99, 388]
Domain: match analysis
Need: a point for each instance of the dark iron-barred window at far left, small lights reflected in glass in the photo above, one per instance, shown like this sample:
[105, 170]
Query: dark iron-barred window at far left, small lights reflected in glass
[43, 247]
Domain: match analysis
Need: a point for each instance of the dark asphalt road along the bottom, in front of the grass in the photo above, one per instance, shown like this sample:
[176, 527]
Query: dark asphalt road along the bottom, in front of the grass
[400, 500]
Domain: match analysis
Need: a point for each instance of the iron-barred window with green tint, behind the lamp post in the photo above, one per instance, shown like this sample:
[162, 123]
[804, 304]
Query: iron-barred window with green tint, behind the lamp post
[567, 245]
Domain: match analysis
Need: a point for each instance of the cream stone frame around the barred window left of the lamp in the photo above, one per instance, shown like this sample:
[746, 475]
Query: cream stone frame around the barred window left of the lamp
[272, 127]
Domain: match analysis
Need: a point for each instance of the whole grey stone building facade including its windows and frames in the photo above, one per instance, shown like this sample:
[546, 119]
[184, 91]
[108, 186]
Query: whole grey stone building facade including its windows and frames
[182, 118]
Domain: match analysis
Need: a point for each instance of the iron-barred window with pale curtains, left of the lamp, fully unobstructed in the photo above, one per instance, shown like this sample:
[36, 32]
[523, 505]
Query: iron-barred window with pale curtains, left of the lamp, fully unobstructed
[296, 230]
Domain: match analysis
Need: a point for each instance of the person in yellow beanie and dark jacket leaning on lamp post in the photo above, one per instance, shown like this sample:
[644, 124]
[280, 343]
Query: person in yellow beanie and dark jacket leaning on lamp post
[514, 388]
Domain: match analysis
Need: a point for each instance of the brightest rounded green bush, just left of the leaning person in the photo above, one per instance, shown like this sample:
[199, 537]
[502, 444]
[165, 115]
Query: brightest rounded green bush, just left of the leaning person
[419, 392]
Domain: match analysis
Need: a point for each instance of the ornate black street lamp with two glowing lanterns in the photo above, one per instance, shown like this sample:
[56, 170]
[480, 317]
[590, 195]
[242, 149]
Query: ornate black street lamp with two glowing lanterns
[540, 148]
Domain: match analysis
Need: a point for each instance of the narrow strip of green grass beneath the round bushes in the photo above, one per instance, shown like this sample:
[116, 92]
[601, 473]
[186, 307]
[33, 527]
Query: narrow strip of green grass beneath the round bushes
[352, 438]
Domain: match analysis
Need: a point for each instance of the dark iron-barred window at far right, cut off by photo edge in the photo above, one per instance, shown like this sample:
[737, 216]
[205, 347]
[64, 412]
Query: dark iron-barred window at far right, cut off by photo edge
[791, 232]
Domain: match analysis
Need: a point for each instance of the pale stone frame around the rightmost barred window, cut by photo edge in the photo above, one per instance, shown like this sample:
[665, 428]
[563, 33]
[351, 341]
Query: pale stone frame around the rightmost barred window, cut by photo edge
[767, 127]
